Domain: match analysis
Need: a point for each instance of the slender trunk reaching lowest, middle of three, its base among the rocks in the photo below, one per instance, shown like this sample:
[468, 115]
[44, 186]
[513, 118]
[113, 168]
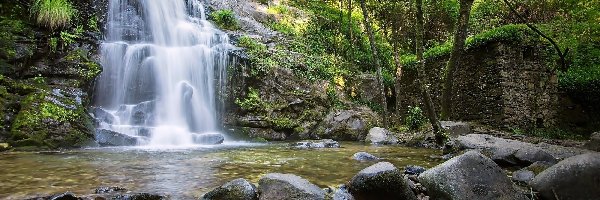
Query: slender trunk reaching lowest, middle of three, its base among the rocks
[422, 82]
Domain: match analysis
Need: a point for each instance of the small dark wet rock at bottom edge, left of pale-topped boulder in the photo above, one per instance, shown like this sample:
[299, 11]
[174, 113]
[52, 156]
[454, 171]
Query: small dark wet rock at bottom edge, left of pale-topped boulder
[238, 189]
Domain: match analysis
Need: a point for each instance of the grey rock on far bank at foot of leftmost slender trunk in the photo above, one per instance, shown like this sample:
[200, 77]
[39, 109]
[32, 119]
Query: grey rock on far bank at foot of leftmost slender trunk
[350, 125]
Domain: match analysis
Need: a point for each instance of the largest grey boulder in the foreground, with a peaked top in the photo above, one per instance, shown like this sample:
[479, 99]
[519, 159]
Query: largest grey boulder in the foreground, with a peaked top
[469, 176]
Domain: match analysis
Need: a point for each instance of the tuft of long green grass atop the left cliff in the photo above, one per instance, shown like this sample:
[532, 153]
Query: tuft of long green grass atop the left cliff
[53, 13]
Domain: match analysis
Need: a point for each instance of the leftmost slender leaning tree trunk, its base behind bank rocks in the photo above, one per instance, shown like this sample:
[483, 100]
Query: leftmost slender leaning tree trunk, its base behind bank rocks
[381, 90]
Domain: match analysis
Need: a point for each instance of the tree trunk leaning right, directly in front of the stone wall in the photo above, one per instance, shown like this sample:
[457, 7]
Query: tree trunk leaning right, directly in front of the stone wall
[460, 36]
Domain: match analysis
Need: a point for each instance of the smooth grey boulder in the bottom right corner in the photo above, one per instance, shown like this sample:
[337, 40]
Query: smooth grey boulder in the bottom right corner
[577, 177]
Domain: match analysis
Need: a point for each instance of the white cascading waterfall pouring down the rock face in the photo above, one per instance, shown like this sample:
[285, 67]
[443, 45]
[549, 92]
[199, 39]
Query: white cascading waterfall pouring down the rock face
[163, 66]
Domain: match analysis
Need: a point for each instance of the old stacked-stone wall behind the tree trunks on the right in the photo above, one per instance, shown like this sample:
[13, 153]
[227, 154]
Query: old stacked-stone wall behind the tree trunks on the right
[499, 84]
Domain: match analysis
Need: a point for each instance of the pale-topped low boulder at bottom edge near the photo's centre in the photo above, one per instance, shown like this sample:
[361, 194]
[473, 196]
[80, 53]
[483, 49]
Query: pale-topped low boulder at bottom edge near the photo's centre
[277, 186]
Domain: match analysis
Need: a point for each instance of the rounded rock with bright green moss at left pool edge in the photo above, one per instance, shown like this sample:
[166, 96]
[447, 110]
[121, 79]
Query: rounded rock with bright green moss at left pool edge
[53, 120]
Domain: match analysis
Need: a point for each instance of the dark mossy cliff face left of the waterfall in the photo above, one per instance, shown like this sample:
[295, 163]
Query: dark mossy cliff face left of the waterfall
[46, 76]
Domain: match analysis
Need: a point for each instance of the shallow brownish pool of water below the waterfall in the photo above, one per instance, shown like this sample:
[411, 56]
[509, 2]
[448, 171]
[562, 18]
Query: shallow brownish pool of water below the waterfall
[187, 173]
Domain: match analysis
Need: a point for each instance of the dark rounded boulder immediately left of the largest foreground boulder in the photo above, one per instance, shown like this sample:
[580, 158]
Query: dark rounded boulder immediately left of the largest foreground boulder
[380, 181]
